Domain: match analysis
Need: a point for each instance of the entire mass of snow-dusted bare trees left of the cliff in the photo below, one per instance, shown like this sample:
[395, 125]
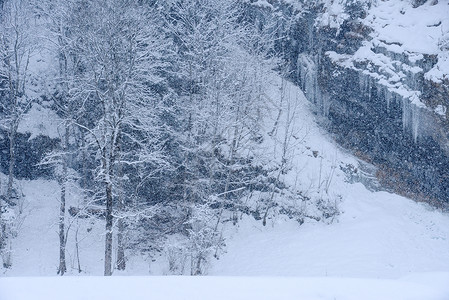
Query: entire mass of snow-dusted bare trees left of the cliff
[161, 107]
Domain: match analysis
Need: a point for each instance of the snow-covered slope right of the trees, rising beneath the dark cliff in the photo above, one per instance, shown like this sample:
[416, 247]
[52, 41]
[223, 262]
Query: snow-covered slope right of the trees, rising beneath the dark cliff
[377, 235]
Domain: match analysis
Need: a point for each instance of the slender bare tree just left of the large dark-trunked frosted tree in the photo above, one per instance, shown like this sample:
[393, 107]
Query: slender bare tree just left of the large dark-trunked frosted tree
[60, 18]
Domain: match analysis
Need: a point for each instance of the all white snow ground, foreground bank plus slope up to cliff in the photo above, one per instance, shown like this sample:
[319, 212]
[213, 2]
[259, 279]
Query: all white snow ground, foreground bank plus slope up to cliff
[381, 246]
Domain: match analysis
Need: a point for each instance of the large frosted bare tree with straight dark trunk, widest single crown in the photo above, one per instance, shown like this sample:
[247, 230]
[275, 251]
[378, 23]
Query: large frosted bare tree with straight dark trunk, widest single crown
[121, 50]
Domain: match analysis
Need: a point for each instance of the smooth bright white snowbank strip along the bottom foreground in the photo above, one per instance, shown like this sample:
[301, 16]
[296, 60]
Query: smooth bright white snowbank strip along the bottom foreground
[420, 286]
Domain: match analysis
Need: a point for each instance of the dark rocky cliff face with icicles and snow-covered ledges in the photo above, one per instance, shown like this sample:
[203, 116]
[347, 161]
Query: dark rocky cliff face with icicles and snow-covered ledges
[379, 71]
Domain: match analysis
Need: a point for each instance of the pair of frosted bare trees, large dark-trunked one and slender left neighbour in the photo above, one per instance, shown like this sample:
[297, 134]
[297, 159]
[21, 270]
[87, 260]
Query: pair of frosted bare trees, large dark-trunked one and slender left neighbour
[108, 55]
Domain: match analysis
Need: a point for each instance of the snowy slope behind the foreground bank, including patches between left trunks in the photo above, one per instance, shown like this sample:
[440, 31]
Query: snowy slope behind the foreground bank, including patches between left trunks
[377, 234]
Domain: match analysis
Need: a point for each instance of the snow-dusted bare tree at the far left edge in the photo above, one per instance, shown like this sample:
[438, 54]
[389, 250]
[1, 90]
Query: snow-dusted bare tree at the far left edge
[16, 48]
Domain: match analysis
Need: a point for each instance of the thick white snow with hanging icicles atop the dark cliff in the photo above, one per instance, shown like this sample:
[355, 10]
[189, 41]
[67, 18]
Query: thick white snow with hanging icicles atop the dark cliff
[404, 45]
